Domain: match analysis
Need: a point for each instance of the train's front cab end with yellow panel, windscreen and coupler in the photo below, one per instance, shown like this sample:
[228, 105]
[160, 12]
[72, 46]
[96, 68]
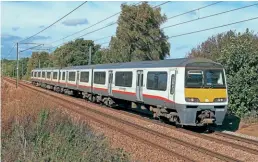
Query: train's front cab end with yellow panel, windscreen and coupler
[204, 100]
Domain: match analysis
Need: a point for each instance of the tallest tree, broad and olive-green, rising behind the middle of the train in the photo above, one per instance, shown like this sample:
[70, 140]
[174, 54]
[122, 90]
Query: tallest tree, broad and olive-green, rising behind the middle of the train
[138, 35]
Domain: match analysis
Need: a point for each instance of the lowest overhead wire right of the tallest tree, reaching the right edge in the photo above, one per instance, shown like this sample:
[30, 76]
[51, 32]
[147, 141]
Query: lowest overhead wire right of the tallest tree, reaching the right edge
[198, 31]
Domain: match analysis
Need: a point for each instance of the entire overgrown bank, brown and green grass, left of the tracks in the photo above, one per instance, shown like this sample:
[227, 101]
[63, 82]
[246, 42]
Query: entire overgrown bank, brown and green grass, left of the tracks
[33, 130]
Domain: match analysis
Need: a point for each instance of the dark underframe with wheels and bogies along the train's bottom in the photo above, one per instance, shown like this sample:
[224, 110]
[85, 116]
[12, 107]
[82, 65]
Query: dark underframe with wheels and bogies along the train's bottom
[203, 117]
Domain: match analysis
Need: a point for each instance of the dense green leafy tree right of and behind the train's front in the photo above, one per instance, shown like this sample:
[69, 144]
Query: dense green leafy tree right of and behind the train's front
[238, 53]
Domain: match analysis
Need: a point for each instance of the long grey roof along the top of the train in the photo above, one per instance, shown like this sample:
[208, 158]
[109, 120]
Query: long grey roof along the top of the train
[180, 62]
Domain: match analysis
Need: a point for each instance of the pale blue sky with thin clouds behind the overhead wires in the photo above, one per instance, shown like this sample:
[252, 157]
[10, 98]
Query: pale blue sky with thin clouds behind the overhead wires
[19, 20]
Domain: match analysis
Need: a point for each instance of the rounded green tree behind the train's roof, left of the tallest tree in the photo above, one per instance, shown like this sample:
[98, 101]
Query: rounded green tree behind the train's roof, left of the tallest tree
[74, 53]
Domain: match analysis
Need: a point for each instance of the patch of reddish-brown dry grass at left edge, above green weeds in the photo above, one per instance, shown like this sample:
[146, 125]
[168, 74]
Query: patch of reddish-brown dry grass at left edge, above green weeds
[19, 103]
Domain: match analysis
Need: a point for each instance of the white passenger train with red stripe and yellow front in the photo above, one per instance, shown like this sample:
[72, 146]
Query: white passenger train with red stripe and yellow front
[184, 91]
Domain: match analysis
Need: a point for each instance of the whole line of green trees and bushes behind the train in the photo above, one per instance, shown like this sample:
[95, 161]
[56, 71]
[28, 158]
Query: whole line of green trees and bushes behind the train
[139, 37]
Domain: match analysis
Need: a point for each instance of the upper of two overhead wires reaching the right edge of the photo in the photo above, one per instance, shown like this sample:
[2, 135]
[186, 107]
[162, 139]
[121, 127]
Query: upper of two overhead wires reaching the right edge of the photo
[200, 18]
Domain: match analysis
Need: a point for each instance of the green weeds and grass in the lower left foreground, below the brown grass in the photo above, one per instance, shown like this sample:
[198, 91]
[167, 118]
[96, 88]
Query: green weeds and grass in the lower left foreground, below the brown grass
[55, 137]
